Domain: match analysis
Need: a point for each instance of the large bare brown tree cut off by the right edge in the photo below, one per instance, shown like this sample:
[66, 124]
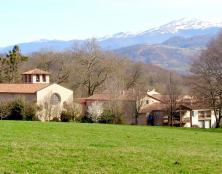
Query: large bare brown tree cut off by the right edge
[207, 75]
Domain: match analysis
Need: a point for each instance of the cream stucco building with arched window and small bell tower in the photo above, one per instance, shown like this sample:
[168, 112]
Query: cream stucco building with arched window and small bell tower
[36, 87]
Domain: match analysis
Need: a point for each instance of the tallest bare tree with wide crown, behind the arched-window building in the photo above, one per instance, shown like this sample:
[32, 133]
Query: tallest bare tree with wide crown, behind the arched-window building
[94, 66]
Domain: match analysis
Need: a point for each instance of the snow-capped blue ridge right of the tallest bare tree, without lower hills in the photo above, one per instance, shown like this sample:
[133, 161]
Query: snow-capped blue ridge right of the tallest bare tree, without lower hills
[186, 27]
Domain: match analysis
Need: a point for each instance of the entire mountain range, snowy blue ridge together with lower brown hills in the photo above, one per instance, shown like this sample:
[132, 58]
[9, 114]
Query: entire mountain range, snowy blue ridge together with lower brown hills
[169, 45]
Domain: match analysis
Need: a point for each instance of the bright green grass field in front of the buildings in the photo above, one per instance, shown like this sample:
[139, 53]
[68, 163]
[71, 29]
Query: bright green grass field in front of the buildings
[55, 147]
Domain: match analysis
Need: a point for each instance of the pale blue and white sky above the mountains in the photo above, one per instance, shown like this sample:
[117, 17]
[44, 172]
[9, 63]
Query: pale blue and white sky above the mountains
[32, 20]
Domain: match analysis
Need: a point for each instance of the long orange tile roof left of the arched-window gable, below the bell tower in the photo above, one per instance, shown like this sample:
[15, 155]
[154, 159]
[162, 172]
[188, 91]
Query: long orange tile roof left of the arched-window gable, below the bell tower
[21, 87]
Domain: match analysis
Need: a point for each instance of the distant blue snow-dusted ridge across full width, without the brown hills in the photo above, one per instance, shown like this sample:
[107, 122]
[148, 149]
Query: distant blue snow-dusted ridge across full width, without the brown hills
[186, 27]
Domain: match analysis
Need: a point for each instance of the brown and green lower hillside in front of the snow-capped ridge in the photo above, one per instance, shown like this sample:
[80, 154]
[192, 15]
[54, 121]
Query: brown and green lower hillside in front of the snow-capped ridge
[161, 55]
